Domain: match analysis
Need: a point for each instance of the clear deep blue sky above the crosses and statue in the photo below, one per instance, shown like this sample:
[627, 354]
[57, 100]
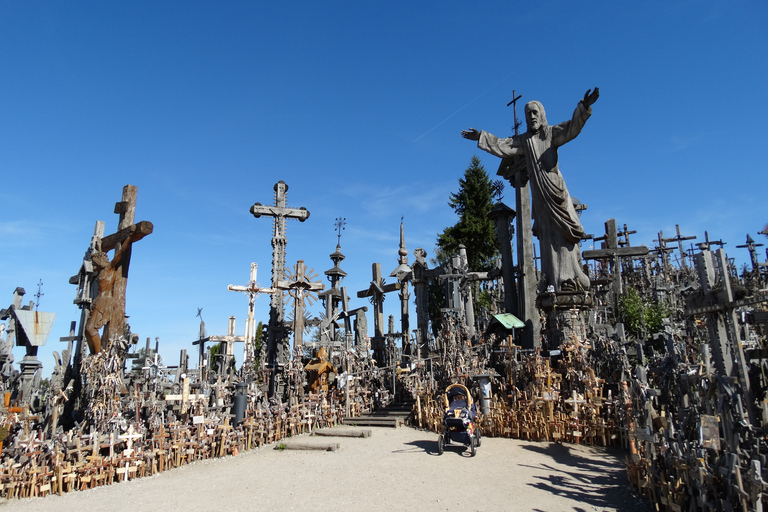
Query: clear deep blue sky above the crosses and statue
[358, 107]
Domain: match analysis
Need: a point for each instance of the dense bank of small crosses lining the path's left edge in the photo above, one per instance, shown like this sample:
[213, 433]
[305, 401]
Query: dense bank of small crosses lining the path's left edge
[129, 434]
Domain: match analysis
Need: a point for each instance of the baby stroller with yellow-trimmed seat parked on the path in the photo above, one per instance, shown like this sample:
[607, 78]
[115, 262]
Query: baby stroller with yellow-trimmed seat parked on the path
[459, 420]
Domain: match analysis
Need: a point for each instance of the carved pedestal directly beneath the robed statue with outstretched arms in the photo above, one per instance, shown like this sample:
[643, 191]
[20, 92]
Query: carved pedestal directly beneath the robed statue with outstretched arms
[565, 316]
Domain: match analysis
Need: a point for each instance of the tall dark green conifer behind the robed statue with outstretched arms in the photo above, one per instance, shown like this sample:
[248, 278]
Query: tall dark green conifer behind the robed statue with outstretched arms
[475, 230]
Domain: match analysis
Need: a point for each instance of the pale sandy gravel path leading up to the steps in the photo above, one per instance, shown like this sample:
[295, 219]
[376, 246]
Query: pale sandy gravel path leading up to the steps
[393, 470]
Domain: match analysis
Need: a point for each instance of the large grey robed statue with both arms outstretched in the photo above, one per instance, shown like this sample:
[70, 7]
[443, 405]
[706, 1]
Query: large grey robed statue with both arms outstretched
[556, 224]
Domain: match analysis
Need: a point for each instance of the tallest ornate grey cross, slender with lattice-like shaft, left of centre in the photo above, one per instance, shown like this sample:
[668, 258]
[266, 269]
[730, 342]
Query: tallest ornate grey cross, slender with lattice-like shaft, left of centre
[276, 343]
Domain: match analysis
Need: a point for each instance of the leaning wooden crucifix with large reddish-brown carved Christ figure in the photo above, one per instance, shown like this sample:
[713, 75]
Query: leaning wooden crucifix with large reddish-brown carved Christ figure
[108, 308]
